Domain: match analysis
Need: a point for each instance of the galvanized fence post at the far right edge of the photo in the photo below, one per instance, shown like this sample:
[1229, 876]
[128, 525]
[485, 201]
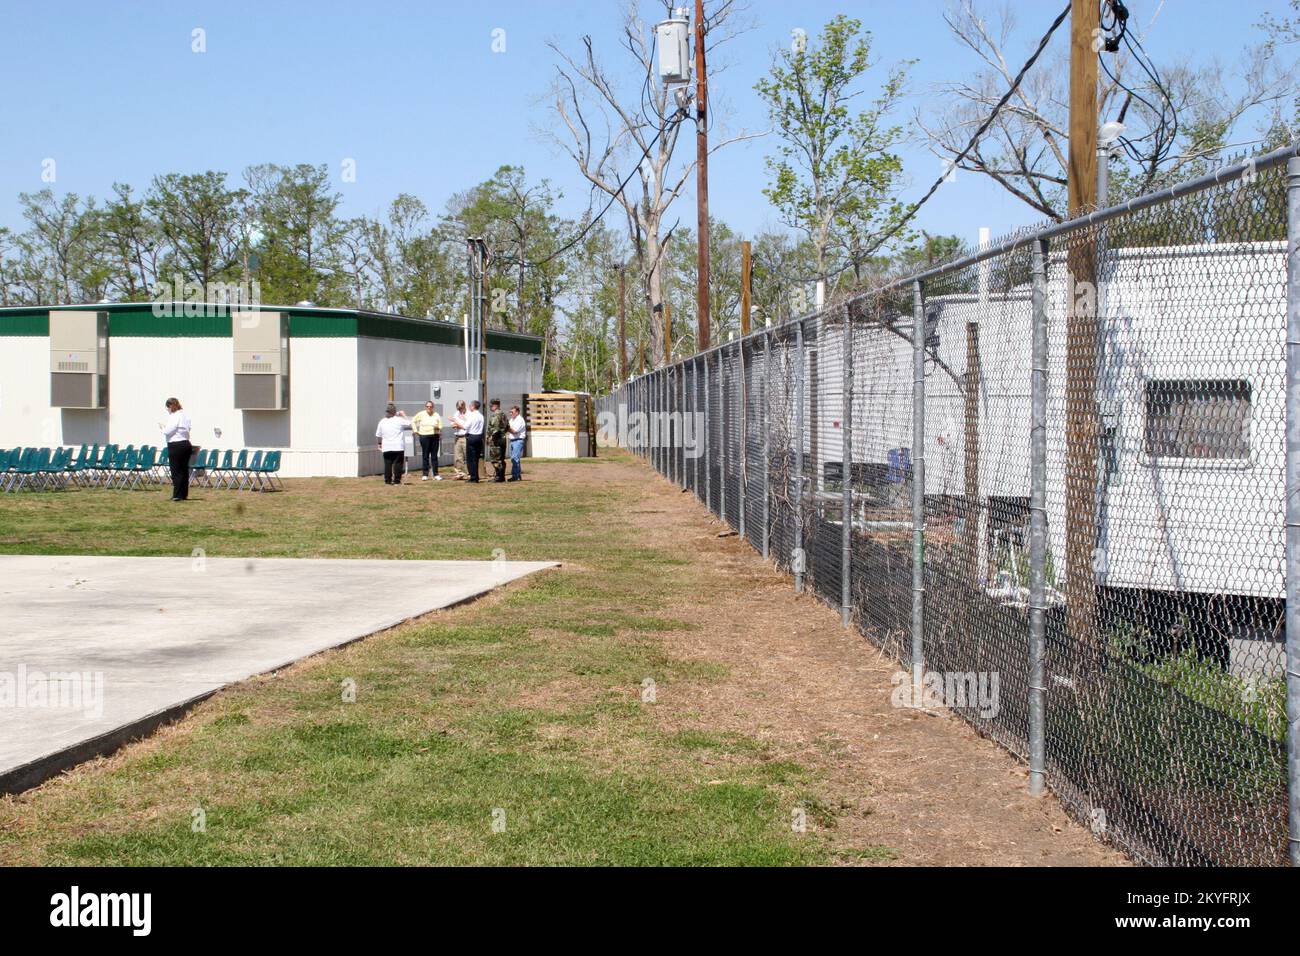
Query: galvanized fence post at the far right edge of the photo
[1293, 505]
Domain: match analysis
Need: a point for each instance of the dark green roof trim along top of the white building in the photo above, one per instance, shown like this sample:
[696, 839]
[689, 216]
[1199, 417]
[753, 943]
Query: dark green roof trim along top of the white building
[137, 321]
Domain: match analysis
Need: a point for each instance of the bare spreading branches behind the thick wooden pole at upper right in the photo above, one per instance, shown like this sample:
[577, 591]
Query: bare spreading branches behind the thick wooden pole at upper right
[1026, 148]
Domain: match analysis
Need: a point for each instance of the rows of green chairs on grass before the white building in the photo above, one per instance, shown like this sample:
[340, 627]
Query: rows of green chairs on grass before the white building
[110, 466]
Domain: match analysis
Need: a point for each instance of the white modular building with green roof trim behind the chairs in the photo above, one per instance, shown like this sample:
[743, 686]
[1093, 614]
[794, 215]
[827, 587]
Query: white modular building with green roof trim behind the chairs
[306, 380]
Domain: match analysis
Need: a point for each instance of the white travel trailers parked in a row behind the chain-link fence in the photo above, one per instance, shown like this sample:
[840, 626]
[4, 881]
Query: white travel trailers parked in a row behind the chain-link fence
[1191, 399]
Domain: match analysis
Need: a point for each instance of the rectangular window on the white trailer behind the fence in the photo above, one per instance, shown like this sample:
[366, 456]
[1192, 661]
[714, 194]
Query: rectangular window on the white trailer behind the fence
[1199, 418]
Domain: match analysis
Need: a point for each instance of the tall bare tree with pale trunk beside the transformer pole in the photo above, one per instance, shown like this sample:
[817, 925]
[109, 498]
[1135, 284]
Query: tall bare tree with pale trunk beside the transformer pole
[608, 127]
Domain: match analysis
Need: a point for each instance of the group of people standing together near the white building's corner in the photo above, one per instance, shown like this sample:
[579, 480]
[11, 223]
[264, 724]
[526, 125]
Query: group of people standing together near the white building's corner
[475, 435]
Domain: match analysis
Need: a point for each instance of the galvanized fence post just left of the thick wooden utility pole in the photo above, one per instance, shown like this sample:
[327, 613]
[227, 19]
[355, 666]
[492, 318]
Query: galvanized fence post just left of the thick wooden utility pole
[1038, 518]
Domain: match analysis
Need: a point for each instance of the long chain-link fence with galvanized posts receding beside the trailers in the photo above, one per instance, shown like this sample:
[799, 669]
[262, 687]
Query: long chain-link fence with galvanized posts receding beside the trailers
[1051, 478]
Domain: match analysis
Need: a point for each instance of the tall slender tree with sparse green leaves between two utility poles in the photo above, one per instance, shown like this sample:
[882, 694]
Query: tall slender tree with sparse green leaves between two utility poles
[835, 174]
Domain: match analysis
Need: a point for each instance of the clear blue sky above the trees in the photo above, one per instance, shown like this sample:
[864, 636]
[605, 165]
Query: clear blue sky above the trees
[417, 97]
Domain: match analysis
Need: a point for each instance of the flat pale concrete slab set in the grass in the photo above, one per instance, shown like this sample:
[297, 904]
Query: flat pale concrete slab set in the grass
[97, 651]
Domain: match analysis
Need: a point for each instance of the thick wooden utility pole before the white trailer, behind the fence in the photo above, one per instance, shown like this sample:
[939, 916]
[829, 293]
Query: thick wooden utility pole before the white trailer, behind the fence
[1081, 362]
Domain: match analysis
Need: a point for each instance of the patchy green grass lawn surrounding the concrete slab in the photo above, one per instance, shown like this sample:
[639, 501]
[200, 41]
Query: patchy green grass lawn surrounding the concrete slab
[523, 708]
